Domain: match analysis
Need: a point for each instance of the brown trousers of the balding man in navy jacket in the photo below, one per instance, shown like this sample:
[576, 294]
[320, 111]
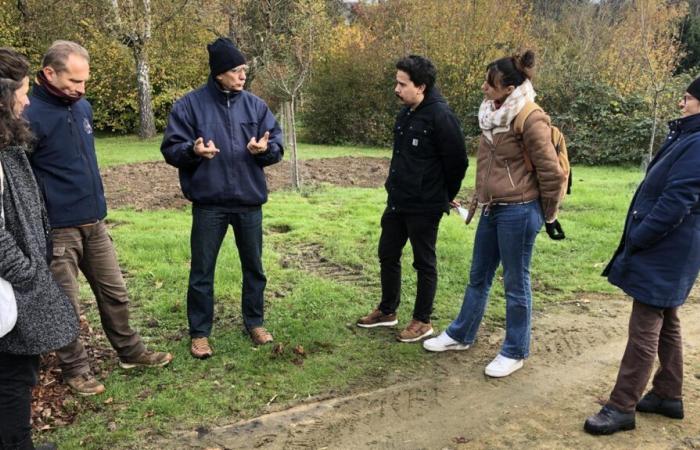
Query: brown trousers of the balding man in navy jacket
[90, 249]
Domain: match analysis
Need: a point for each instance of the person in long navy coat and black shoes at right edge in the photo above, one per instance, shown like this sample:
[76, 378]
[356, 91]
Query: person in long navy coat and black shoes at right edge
[657, 263]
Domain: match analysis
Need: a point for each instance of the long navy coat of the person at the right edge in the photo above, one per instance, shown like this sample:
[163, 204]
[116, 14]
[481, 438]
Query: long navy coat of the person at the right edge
[658, 258]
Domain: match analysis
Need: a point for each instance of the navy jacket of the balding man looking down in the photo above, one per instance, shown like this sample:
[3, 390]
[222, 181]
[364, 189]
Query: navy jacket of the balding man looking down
[64, 159]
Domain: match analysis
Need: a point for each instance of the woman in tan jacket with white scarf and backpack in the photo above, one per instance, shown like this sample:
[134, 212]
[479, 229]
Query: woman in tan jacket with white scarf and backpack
[519, 185]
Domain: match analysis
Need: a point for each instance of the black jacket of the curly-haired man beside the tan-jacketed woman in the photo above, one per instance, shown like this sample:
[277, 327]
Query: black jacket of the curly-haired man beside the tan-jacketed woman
[429, 159]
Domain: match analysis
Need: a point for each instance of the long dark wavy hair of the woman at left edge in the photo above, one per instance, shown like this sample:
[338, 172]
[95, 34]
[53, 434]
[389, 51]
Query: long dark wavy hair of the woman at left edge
[14, 68]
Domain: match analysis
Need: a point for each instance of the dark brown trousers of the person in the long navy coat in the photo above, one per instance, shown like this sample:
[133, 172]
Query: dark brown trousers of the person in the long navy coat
[652, 331]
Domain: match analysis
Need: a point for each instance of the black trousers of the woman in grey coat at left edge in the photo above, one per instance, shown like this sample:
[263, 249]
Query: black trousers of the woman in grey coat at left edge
[18, 374]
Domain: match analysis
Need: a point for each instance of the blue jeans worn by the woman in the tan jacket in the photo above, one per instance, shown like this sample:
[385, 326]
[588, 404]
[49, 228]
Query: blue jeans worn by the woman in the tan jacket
[506, 234]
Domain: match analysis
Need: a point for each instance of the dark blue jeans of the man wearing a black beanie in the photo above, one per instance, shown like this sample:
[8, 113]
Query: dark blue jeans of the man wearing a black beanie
[208, 230]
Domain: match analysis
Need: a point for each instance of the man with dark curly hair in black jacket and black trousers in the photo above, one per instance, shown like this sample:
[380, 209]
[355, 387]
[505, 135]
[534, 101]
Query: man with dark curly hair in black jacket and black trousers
[427, 167]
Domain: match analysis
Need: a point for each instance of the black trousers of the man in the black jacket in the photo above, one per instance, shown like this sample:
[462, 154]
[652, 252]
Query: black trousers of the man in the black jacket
[421, 230]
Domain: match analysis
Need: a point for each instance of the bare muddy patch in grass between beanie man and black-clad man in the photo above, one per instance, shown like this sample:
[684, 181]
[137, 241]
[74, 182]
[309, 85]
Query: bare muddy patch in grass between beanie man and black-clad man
[309, 257]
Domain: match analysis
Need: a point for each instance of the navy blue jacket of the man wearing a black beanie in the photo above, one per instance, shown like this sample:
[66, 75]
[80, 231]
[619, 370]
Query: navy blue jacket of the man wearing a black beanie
[234, 177]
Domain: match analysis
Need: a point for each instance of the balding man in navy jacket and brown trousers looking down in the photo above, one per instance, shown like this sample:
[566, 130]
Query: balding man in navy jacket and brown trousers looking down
[65, 166]
